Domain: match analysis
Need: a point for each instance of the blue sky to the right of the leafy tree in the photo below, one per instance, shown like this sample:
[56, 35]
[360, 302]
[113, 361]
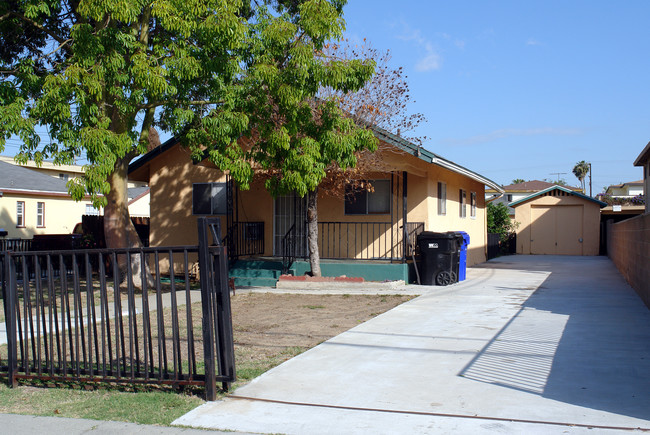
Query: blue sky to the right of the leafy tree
[522, 89]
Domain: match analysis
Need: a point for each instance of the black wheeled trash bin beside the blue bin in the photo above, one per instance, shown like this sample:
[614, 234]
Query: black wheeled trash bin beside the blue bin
[438, 258]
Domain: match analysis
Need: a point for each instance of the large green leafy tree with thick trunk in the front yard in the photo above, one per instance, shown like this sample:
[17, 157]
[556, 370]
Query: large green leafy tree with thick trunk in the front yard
[100, 75]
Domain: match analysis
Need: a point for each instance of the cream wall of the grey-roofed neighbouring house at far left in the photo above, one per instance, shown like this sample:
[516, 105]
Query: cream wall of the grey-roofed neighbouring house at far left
[61, 215]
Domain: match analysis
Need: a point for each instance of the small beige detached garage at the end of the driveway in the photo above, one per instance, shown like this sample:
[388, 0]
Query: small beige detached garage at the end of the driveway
[558, 221]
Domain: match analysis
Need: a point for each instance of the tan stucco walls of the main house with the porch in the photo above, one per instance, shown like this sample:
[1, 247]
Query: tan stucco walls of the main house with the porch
[171, 176]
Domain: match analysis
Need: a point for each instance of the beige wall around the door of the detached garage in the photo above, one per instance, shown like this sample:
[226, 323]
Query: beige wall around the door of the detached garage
[590, 221]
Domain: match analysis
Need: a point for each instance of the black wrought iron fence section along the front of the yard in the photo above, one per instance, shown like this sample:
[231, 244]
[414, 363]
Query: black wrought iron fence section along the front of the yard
[140, 318]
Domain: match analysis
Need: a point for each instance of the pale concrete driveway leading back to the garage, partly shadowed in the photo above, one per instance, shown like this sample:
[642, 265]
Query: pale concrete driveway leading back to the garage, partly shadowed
[528, 344]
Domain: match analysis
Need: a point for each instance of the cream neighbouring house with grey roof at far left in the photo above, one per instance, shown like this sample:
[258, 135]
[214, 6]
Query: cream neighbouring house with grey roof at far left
[34, 203]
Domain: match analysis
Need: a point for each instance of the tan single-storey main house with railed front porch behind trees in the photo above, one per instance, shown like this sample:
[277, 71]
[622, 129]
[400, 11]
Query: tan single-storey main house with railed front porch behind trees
[413, 188]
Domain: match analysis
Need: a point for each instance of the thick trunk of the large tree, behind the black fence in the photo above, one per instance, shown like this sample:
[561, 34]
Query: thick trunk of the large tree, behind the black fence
[119, 231]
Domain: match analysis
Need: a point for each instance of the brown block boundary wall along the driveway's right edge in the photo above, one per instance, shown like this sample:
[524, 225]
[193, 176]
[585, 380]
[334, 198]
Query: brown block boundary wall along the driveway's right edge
[628, 245]
